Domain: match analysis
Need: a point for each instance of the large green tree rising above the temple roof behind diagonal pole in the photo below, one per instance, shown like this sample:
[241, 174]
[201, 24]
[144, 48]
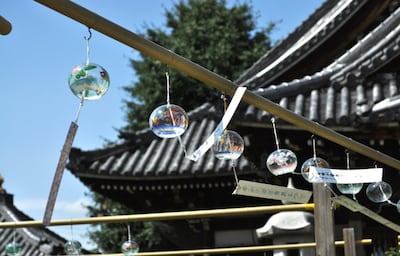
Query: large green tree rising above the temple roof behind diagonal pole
[220, 38]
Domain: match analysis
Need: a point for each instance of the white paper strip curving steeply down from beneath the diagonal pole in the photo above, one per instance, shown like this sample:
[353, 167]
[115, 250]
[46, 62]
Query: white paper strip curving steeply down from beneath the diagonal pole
[237, 97]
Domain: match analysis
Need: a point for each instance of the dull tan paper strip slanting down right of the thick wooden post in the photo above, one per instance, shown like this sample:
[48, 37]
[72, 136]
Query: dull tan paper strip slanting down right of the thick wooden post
[356, 207]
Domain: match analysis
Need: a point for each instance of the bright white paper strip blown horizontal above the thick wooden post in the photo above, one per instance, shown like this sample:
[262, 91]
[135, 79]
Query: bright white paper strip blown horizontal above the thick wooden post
[344, 176]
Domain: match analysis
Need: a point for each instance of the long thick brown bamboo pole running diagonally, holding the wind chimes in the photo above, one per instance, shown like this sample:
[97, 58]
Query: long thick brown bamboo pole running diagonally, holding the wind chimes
[184, 65]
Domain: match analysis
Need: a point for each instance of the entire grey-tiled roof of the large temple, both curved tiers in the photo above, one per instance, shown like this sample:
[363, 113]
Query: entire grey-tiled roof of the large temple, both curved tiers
[338, 68]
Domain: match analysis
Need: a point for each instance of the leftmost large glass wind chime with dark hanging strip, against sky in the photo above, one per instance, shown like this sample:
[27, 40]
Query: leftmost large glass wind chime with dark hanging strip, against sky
[88, 81]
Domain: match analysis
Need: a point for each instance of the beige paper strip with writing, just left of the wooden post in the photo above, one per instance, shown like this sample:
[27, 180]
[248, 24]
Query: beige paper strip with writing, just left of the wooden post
[255, 189]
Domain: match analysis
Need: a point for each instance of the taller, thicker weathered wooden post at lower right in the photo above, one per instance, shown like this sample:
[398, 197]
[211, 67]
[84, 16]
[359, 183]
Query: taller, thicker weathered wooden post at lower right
[323, 217]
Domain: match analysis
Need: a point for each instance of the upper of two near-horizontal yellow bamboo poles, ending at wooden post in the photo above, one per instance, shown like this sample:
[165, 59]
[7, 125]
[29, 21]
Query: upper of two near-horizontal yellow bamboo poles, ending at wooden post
[163, 216]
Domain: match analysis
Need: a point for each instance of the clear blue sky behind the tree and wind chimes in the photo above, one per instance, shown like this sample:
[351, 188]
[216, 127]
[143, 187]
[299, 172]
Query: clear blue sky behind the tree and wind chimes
[37, 105]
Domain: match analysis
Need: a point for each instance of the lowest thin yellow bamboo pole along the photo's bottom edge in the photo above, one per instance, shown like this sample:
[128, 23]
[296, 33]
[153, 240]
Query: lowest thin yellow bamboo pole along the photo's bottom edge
[244, 249]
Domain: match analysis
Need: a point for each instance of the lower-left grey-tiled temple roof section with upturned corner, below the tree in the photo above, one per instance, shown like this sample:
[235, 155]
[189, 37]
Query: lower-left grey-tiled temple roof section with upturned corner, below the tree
[143, 155]
